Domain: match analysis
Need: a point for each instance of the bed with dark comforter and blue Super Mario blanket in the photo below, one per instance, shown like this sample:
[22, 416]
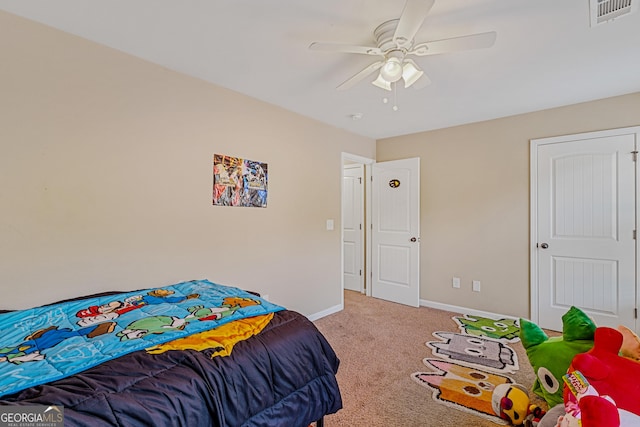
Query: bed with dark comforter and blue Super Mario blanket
[284, 375]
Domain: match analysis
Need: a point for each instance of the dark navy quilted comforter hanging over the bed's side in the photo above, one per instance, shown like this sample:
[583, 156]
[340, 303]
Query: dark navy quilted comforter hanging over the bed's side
[284, 376]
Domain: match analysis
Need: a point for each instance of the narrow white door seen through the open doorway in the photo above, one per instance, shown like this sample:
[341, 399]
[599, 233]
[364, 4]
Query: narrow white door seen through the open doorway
[353, 227]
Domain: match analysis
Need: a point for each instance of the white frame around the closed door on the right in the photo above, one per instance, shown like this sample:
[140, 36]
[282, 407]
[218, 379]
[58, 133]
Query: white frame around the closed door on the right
[533, 225]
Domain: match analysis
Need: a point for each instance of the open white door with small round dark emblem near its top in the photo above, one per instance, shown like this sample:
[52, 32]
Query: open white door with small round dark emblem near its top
[395, 237]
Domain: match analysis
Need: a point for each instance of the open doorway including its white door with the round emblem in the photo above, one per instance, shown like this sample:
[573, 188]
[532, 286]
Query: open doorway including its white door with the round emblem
[381, 238]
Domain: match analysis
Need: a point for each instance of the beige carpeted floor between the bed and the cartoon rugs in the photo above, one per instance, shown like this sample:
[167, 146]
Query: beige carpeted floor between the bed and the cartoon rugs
[380, 345]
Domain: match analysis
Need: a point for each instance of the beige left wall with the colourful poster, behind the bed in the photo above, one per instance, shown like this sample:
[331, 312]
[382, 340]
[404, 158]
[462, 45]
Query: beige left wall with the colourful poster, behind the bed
[106, 173]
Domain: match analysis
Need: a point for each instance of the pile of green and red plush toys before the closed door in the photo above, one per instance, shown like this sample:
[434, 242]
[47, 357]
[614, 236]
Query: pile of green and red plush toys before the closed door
[589, 377]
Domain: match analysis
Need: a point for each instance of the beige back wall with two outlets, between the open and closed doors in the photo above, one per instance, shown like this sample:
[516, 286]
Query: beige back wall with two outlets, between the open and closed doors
[475, 199]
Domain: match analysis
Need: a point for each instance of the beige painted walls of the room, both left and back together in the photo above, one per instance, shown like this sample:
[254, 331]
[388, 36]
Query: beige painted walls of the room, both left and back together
[106, 184]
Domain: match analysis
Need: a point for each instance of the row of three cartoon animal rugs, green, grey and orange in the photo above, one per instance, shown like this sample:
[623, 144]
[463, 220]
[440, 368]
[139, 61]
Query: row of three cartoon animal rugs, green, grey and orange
[470, 364]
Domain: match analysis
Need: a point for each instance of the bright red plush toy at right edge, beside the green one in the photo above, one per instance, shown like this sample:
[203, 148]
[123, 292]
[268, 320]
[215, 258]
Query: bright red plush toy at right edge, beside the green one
[611, 376]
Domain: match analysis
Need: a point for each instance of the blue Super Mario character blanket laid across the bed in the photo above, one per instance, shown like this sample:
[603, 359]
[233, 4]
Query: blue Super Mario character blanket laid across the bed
[44, 344]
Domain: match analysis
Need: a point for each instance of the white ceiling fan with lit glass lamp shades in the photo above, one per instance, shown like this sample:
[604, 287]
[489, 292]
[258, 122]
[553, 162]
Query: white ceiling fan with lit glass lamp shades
[395, 43]
